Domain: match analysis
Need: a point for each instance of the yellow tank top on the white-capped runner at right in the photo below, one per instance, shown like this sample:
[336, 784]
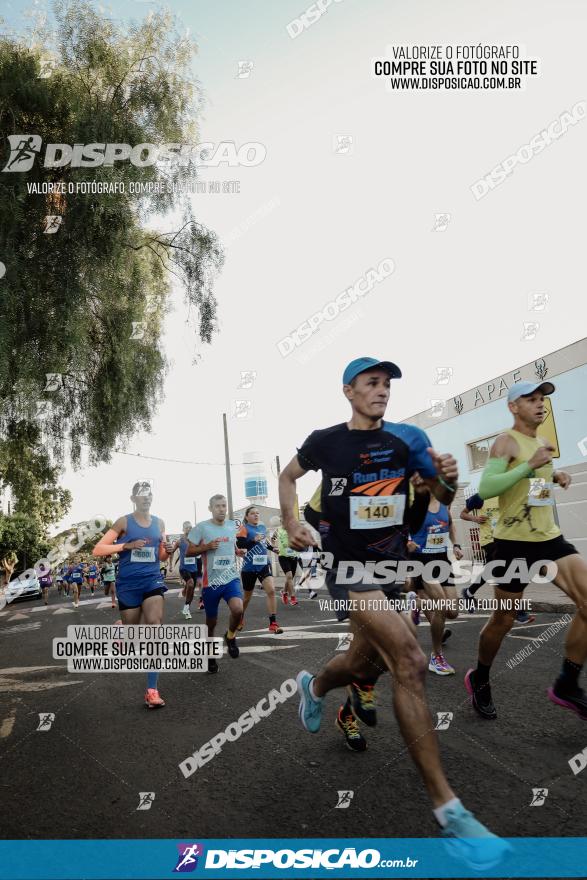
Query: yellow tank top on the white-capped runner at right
[526, 511]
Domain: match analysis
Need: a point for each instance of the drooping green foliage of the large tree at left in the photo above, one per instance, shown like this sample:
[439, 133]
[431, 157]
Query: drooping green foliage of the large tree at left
[71, 301]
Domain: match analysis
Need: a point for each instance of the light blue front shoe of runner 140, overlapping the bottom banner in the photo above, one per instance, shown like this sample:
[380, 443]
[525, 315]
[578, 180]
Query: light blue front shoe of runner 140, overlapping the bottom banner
[470, 841]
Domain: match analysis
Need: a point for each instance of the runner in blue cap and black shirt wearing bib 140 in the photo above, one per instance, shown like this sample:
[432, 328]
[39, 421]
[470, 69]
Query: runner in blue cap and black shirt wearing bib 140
[366, 464]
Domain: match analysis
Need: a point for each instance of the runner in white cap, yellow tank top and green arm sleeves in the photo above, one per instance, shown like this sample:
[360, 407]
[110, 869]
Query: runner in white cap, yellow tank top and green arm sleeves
[520, 473]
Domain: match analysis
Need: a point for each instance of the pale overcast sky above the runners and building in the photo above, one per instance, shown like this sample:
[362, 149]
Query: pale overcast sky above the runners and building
[458, 297]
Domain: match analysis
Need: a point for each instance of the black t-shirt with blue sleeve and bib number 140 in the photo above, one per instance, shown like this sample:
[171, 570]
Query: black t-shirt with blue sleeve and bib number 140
[365, 480]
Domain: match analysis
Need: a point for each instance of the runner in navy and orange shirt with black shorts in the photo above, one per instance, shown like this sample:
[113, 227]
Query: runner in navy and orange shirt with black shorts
[252, 537]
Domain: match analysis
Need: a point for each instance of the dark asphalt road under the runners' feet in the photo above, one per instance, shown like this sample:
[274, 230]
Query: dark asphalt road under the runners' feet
[82, 778]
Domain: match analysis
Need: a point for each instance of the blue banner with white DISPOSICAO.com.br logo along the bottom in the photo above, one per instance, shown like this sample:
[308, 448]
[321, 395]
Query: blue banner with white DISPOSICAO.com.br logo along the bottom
[286, 857]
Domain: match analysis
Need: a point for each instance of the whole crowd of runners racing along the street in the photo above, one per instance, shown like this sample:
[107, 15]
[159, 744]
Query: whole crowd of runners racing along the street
[385, 496]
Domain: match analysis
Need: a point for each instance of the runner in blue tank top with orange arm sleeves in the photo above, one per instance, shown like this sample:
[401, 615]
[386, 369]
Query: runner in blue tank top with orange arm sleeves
[139, 539]
